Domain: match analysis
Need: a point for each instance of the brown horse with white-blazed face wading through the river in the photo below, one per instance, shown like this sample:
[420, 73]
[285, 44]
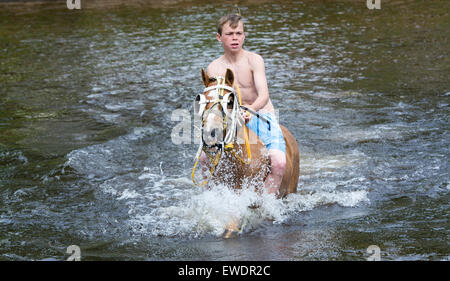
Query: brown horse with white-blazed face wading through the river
[236, 154]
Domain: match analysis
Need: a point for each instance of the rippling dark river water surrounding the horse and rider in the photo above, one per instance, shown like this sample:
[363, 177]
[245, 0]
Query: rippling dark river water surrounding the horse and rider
[89, 100]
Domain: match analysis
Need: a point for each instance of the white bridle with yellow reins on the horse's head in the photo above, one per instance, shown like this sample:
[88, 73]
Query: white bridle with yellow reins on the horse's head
[227, 145]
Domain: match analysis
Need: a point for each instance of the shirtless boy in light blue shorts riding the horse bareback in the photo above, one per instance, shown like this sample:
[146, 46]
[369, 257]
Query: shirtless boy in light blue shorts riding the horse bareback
[249, 73]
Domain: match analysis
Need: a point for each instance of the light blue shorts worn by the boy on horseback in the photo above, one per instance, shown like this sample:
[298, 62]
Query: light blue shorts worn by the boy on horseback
[272, 137]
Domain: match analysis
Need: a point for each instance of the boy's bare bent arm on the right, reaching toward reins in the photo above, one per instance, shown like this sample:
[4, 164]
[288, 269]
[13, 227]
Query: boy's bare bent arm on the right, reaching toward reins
[259, 76]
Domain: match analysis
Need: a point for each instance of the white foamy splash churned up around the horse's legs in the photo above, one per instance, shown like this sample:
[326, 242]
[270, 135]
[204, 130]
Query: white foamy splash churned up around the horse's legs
[208, 212]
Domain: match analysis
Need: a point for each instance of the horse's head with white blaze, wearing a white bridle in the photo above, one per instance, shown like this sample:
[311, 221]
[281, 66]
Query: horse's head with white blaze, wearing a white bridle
[216, 106]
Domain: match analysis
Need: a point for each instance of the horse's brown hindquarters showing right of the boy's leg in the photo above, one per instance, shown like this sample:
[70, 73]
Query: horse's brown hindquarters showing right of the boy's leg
[290, 178]
